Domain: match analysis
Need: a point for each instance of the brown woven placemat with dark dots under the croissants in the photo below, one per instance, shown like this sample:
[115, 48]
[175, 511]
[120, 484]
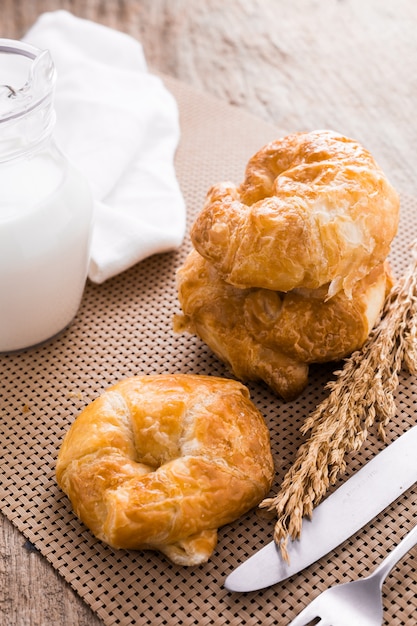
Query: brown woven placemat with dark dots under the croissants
[124, 328]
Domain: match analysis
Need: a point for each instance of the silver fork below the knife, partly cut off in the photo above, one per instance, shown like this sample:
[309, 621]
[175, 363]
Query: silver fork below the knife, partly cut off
[358, 602]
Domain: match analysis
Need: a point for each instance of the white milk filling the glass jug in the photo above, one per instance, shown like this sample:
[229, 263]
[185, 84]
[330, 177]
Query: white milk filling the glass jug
[45, 225]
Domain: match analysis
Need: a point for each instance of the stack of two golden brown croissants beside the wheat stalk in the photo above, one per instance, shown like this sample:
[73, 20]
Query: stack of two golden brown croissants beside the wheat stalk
[289, 268]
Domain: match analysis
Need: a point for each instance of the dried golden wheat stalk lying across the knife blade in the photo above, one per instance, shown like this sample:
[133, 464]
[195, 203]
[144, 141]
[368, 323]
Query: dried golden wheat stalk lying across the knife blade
[361, 394]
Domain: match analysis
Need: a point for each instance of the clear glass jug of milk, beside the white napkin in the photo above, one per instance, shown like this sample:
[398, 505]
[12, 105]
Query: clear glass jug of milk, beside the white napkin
[45, 206]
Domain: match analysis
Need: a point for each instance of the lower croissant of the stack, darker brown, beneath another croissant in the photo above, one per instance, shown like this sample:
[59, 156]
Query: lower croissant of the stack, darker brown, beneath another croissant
[274, 336]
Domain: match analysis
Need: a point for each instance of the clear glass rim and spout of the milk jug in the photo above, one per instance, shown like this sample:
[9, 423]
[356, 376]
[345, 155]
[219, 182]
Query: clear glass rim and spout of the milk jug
[40, 82]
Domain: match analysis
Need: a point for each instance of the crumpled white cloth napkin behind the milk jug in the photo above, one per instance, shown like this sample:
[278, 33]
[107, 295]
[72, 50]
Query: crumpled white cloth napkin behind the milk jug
[119, 126]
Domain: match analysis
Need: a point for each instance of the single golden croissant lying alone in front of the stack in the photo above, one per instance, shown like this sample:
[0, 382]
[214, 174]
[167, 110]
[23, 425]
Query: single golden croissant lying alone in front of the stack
[161, 462]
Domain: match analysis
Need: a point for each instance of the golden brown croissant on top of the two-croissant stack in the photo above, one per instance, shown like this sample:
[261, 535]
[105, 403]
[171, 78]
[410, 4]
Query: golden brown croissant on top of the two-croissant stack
[314, 209]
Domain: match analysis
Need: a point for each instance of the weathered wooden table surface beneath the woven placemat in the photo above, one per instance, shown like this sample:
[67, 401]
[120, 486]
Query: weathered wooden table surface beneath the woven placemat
[350, 65]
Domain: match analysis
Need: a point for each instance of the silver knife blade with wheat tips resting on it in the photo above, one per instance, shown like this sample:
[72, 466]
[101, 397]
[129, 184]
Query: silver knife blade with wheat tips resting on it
[378, 483]
